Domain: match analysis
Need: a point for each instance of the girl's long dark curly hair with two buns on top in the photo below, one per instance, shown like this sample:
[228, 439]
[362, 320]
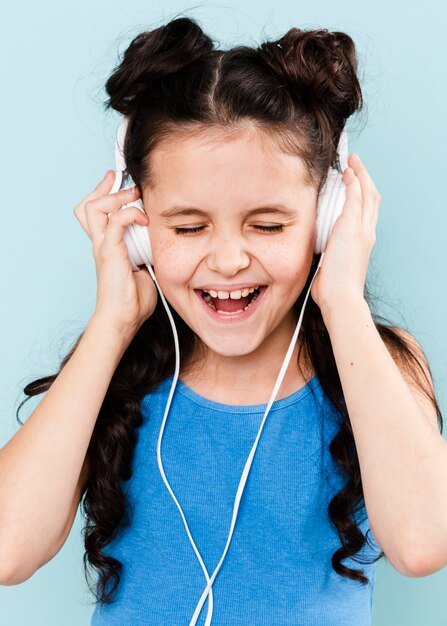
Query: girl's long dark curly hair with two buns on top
[300, 90]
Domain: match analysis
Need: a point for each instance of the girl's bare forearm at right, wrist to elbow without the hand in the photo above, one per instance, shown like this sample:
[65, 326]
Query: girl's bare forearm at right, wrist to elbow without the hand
[402, 455]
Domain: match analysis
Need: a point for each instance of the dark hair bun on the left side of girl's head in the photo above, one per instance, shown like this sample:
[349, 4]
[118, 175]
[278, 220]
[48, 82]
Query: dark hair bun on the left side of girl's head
[152, 55]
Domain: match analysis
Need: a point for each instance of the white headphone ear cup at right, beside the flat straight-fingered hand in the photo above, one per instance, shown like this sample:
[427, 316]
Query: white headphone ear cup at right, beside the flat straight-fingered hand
[330, 205]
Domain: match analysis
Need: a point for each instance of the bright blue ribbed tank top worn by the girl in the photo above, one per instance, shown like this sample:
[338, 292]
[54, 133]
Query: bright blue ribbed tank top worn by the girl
[277, 570]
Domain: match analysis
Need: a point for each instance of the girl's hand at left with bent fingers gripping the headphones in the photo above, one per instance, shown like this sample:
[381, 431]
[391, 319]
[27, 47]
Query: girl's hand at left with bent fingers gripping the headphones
[124, 297]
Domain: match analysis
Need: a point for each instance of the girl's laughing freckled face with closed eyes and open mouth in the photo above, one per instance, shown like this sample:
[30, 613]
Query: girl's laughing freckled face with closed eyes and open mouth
[212, 184]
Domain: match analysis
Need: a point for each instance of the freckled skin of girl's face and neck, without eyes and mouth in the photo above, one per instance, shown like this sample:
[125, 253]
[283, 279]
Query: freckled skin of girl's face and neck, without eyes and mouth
[226, 175]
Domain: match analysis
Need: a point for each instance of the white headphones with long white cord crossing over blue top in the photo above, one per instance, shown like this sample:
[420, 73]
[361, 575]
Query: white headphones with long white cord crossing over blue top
[136, 237]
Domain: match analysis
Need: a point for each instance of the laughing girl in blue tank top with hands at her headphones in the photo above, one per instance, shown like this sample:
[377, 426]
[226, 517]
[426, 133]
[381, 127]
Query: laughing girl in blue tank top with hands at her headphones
[229, 151]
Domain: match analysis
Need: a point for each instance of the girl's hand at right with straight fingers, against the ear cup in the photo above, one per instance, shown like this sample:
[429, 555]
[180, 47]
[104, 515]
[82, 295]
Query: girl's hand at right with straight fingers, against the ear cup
[345, 263]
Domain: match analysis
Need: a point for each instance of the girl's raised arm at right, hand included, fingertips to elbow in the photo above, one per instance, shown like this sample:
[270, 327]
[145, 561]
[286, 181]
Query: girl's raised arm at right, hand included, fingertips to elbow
[402, 456]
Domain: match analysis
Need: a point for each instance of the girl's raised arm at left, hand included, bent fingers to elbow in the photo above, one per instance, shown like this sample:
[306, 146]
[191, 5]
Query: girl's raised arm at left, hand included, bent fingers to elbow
[40, 467]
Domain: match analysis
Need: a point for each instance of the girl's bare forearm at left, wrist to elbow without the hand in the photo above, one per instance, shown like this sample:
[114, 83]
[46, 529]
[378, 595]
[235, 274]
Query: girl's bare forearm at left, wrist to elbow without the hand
[41, 464]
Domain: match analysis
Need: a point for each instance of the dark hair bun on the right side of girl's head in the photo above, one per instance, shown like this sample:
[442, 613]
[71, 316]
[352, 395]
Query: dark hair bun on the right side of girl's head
[319, 67]
